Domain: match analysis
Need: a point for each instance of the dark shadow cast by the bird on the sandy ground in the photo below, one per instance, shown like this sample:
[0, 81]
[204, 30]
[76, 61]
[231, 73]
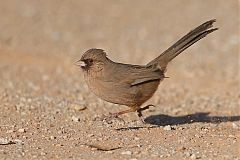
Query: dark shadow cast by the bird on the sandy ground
[163, 120]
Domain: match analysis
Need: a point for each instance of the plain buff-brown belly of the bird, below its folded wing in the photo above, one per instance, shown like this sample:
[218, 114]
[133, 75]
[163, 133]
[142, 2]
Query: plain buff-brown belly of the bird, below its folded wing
[124, 94]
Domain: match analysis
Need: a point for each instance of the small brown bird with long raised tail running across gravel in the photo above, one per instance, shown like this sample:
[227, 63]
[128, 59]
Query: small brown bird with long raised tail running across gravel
[128, 84]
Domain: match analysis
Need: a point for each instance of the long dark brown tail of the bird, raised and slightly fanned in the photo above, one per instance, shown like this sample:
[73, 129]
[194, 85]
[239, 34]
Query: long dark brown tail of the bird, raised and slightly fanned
[182, 44]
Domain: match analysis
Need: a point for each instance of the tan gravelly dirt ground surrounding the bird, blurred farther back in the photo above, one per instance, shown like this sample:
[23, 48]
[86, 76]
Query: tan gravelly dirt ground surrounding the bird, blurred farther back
[47, 111]
